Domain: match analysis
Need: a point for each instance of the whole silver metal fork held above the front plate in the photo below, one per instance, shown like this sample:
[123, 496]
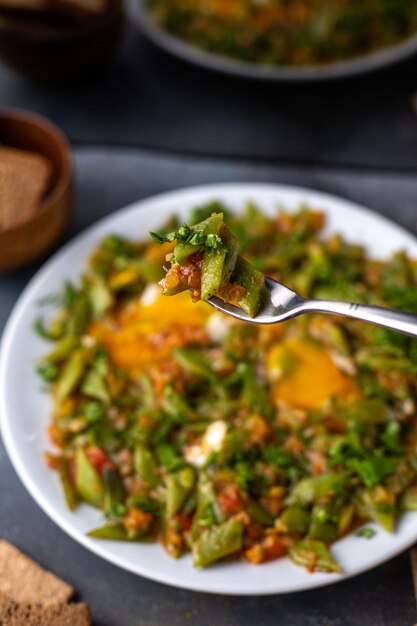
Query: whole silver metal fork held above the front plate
[280, 303]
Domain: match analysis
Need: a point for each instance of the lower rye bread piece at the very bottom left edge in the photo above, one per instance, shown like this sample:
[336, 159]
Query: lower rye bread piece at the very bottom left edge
[24, 614]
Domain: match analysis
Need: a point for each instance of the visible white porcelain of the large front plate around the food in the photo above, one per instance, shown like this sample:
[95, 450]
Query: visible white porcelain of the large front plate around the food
[24, 408]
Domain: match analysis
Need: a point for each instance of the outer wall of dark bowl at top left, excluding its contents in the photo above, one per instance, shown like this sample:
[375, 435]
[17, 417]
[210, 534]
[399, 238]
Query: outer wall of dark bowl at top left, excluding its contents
[49, 52]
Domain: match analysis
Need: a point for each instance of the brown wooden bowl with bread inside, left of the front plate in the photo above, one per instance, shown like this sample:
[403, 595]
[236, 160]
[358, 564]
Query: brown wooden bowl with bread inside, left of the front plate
[35, 187]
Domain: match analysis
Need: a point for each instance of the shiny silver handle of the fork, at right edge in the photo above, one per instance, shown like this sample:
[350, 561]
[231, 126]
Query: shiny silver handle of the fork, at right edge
[388, 318]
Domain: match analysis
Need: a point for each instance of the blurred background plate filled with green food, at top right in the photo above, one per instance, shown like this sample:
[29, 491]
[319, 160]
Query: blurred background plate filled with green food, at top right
[366, 39]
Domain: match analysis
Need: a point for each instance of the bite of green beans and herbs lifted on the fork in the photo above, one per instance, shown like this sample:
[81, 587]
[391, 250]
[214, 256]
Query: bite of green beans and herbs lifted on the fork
[206, 261]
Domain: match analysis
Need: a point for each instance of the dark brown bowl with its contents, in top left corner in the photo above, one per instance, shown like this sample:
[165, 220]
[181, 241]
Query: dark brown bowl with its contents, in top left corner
[50, 41]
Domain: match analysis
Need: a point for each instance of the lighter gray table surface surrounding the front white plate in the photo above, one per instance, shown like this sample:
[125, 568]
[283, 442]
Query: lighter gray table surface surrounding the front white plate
[106, 180]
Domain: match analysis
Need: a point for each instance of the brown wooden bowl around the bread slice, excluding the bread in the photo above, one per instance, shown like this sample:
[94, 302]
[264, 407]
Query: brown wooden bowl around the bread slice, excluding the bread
[30, 239]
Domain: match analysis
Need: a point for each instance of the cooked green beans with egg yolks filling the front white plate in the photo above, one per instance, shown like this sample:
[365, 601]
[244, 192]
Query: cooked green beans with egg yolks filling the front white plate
[228, 439]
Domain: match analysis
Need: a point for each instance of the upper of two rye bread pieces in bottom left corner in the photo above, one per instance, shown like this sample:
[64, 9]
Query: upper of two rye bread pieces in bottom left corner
[23, 580]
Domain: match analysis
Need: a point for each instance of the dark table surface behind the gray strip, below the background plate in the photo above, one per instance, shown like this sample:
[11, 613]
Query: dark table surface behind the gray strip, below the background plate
[145, 98]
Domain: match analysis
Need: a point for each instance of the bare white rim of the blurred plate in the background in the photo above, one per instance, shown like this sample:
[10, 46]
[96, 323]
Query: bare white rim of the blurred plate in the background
[357, 66]
